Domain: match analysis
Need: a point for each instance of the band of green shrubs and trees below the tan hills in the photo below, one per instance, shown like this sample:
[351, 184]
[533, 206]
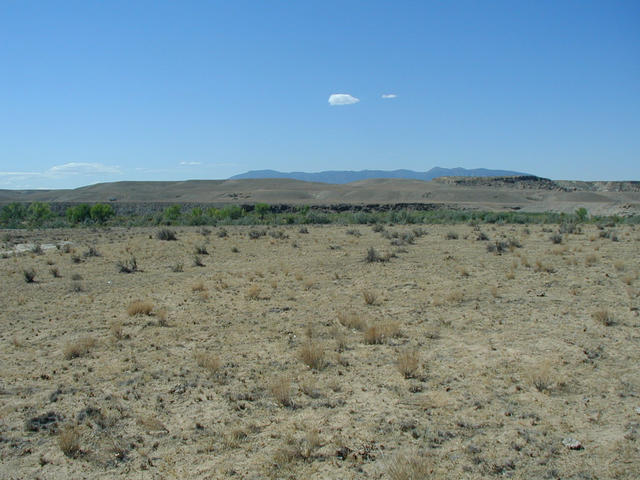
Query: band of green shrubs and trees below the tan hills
[40, 215]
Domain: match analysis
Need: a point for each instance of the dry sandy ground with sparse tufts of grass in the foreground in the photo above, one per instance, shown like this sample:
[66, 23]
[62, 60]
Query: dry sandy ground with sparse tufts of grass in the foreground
[288, 355]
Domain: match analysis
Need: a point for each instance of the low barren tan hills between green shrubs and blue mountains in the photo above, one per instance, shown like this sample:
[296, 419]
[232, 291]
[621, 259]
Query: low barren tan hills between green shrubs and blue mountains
[528, 193]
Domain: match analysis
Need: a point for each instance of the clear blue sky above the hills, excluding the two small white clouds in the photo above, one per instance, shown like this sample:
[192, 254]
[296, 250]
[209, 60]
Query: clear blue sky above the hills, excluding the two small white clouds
[94, 91]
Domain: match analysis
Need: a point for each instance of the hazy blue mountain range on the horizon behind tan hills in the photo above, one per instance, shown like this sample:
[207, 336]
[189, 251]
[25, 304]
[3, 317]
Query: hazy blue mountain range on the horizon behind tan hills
[348, 176]
